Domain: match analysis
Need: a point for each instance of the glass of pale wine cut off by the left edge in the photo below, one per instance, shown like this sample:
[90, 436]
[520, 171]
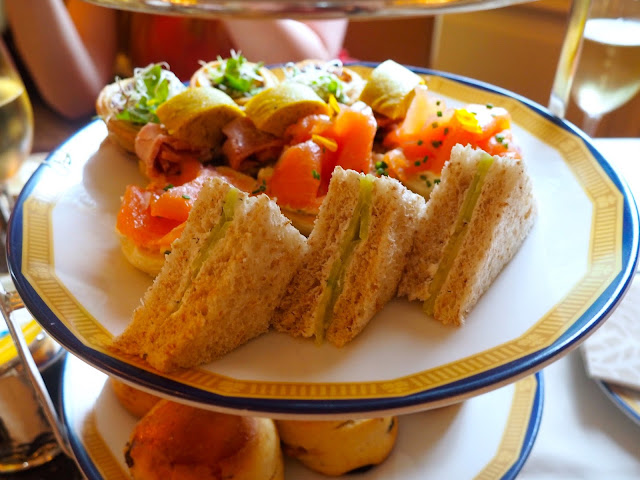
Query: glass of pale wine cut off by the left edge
[16, 120]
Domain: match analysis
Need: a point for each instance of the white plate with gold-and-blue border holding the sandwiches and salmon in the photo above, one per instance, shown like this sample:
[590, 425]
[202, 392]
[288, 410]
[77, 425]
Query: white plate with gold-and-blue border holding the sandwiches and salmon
[563, 283]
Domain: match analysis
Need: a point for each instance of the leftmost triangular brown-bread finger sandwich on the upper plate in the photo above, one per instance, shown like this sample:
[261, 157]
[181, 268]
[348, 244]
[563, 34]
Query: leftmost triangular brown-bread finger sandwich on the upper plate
[213, 295]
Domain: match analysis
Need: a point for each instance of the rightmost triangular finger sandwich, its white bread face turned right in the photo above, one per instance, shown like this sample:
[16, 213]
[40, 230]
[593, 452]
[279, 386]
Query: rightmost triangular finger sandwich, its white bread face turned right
[451, 272]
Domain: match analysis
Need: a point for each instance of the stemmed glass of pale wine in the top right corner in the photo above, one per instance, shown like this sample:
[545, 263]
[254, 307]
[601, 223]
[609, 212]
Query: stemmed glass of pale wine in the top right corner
[608, 67]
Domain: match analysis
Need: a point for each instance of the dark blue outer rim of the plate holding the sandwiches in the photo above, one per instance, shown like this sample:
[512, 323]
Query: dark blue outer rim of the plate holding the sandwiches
[586, 324]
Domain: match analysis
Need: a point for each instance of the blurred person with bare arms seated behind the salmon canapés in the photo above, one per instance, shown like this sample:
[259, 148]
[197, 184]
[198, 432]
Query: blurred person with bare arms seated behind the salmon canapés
[72, 48]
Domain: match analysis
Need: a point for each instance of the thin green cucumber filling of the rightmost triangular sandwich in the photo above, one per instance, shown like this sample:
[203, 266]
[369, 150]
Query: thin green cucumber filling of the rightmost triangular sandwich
[460, 230]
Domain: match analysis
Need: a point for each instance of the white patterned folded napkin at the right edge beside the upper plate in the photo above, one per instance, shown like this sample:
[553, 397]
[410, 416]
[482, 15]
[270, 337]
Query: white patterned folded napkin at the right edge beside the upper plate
[612, 353]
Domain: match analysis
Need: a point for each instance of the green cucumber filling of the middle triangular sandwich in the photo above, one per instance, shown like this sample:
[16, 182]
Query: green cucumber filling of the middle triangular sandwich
[356, 232]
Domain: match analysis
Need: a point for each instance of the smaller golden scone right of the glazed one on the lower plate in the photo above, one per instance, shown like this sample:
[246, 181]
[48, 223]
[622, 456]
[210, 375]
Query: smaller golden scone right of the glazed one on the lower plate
[338, 447]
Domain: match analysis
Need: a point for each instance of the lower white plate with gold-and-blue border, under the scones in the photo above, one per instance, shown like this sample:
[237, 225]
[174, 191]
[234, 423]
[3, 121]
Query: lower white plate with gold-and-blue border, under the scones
[488, 436]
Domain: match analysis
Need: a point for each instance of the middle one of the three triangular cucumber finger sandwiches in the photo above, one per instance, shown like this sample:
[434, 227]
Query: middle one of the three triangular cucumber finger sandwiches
[372, 270]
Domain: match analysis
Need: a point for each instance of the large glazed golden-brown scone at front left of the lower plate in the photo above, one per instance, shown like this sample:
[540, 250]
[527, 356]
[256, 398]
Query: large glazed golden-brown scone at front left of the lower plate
[176, 441]
